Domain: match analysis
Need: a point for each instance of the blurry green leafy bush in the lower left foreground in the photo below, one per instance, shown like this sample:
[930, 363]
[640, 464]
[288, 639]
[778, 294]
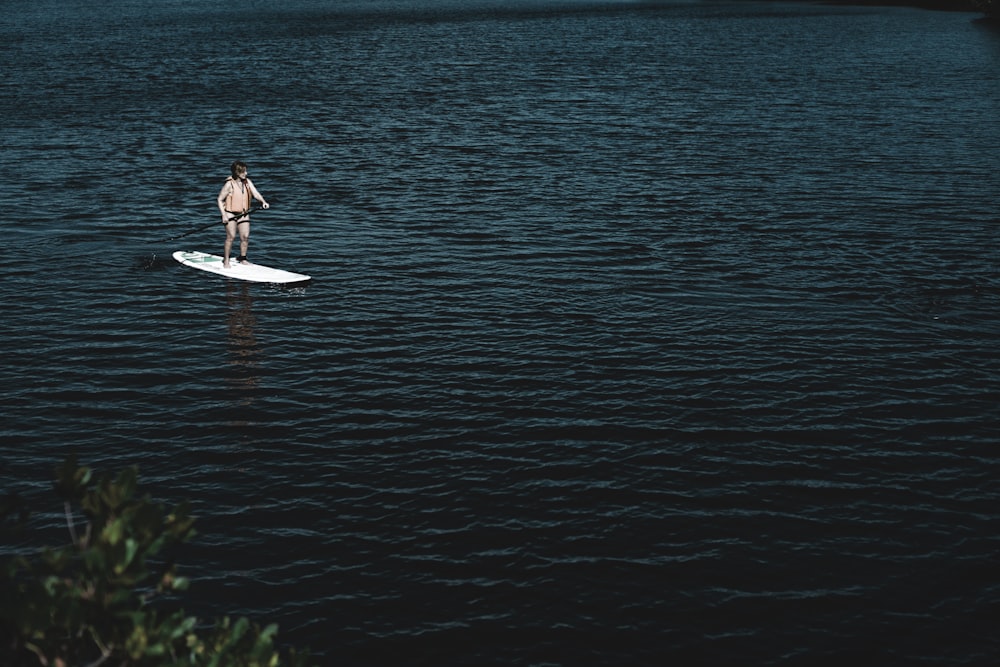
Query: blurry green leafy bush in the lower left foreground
[110, 596]
